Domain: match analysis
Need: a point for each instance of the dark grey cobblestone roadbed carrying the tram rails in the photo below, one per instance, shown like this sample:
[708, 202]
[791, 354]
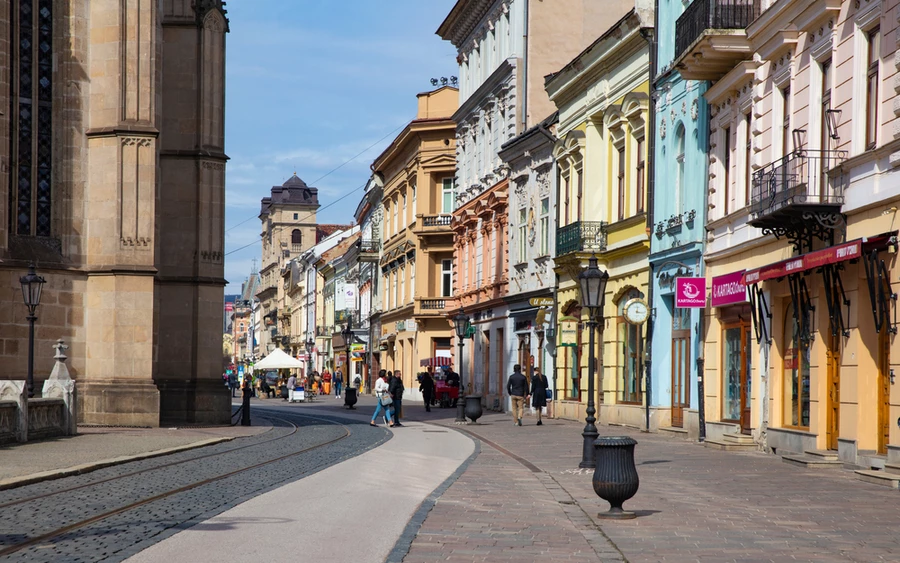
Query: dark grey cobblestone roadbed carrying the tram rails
[121, 535]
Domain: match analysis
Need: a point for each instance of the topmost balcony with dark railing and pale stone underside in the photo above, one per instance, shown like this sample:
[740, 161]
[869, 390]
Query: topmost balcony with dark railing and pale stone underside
[710, 37]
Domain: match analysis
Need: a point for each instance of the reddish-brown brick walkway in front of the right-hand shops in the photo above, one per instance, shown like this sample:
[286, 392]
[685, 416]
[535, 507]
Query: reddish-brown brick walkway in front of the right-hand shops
[694, 504]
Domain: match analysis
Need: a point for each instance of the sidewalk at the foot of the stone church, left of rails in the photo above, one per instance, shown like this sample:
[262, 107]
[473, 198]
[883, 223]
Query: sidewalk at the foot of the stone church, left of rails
[96, 447]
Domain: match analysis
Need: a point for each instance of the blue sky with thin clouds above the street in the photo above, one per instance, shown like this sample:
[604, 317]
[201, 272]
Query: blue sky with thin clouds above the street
[311, 84]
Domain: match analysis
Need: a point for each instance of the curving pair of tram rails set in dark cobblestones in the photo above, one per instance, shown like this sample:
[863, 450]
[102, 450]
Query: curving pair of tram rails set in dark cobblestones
[50, 536]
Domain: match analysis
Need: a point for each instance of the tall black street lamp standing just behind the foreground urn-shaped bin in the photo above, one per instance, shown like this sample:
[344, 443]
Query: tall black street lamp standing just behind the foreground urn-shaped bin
[593, 293]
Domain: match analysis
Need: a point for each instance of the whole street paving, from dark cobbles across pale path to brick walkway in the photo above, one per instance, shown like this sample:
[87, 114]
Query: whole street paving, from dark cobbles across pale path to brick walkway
[430, 493]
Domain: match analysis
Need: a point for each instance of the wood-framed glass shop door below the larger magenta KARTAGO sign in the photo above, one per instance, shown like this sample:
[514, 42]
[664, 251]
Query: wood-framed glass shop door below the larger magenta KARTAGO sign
[736, 384]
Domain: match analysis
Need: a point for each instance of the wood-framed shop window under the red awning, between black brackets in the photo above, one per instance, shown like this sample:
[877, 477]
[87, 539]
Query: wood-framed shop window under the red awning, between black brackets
[796, 373]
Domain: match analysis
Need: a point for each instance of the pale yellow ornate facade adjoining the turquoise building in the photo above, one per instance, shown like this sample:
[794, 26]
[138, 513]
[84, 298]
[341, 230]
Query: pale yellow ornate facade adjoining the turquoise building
[601, 155]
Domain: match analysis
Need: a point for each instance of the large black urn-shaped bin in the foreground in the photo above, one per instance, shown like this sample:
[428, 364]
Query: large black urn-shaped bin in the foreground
[615, 476]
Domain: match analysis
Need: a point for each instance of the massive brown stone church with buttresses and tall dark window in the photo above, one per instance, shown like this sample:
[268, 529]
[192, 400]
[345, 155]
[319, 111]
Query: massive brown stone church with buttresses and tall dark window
[112, 138]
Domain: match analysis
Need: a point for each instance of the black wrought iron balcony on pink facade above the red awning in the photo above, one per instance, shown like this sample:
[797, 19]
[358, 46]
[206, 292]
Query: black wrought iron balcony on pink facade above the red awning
[800, 196]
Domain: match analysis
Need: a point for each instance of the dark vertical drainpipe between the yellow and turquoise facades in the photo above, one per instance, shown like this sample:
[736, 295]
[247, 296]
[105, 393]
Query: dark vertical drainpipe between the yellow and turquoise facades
[650, 36]
